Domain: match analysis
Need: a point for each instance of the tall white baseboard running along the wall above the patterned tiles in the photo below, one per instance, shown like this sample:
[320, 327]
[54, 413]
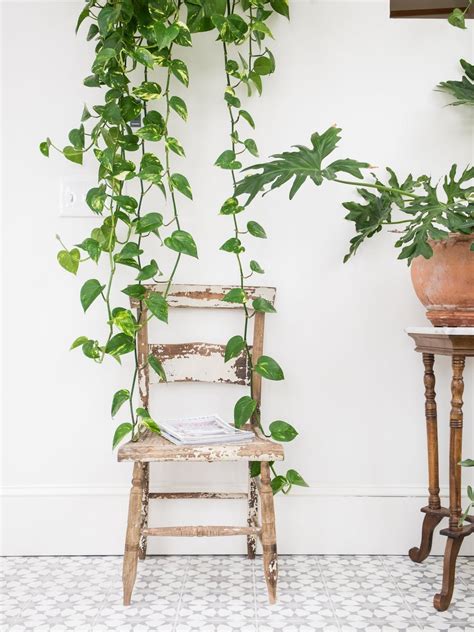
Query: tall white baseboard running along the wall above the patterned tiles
[91, 521]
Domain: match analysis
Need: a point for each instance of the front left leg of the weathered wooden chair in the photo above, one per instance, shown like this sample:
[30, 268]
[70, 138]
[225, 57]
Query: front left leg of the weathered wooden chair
[130, 557]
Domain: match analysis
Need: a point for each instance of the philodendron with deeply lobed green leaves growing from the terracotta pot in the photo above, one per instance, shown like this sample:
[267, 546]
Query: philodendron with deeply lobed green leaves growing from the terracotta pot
[420, 209]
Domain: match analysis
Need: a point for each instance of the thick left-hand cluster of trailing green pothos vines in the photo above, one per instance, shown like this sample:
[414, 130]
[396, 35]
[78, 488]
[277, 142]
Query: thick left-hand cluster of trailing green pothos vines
[131, 38]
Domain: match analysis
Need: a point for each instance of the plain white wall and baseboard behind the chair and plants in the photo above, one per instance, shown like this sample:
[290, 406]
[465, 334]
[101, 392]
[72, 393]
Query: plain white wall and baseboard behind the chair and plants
[353, 382]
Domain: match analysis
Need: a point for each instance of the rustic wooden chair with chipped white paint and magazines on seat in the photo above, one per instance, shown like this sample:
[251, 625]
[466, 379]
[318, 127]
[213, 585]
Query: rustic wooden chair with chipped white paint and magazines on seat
[151, 447]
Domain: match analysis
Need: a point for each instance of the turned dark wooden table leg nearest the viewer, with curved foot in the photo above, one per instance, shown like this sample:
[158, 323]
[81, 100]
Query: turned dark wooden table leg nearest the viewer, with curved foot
[455, 538]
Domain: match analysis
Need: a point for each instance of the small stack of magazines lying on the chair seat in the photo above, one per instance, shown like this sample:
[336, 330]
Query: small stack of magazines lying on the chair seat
[203, 430]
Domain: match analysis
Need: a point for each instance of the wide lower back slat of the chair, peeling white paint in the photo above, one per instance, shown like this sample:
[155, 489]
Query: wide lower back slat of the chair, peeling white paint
[199, 362]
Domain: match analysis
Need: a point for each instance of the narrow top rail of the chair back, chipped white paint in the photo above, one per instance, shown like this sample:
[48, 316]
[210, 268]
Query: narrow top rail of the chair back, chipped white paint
[208, 296]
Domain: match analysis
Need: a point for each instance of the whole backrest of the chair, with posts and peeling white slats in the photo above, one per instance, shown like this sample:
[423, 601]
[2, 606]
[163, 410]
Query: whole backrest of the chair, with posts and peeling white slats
[201, 361]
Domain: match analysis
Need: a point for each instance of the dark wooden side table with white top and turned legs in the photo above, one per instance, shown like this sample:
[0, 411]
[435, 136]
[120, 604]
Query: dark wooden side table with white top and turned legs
[459, 344]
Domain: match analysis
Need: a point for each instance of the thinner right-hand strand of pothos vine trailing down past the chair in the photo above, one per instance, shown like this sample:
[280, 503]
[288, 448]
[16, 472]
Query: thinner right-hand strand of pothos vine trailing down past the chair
[249, 29]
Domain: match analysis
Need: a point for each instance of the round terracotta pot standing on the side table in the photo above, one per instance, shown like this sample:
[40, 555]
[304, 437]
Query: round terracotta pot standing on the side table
[445, 283]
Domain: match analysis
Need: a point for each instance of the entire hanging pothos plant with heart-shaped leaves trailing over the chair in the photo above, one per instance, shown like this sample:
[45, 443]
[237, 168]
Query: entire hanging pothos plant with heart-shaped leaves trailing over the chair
[143, 38]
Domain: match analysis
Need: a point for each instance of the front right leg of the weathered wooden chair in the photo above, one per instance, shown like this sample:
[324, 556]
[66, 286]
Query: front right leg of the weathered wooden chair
[270, 556]
